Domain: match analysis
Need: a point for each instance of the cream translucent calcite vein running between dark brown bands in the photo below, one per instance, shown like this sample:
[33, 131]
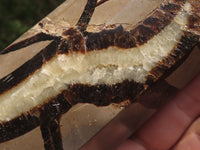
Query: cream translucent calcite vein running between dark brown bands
[108, 66]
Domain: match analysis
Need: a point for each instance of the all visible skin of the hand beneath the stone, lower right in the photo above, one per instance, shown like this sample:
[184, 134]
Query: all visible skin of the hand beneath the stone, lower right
[176, 126]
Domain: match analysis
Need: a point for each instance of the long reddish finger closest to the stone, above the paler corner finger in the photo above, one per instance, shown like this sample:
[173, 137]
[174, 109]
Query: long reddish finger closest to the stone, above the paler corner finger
[166, 127]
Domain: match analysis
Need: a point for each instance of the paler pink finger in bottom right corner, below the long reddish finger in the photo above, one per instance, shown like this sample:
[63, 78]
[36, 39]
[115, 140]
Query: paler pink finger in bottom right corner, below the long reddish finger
[191, 139]
